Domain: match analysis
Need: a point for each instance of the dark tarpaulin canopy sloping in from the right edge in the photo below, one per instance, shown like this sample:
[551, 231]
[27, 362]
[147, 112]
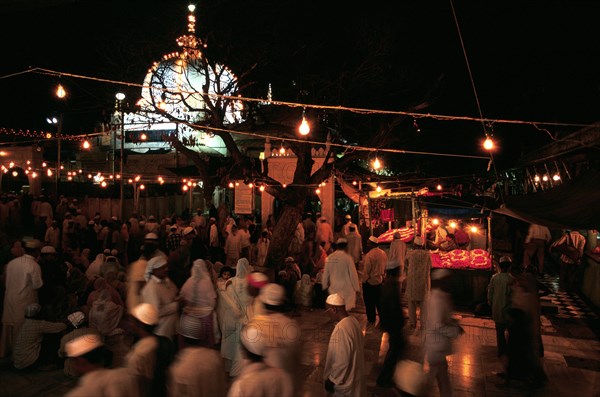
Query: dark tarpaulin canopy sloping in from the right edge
[573, 205]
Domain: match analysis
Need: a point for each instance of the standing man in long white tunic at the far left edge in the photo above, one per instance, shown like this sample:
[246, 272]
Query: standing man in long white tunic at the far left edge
[23, 278]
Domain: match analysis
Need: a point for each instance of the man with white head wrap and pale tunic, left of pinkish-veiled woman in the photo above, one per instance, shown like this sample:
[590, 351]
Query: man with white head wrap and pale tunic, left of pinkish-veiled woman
[161, 292]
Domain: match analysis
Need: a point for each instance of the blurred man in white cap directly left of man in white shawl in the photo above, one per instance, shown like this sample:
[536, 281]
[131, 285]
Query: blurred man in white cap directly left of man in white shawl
[280, 334]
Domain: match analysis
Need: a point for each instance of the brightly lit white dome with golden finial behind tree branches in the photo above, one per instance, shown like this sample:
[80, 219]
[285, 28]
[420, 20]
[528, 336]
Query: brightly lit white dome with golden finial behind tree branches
[175, 85]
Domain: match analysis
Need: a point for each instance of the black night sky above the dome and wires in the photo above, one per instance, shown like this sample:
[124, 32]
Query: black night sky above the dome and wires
[537, 60]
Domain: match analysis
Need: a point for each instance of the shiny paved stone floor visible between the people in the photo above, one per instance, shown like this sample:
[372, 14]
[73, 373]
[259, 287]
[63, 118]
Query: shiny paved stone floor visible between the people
[572, 360]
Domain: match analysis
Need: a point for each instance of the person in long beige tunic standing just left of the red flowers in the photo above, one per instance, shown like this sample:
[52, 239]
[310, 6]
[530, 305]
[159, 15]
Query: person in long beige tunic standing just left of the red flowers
[417, 279]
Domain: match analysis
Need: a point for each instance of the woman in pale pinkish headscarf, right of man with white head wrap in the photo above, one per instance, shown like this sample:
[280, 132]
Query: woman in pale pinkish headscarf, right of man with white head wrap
[198, 299]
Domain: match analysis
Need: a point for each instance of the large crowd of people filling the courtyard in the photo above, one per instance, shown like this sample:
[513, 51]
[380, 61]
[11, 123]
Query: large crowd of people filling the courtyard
[149, 306]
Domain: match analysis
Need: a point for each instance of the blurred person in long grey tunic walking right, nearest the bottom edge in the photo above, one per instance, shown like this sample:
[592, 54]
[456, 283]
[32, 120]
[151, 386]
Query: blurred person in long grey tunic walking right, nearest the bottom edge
[440, 329]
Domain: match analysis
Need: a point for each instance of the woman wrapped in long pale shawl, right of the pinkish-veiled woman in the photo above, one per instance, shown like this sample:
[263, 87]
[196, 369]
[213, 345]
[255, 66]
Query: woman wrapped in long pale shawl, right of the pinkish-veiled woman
[232, 309]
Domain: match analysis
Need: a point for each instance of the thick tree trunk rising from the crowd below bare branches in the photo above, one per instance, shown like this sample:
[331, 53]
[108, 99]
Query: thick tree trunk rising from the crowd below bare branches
[282, 235]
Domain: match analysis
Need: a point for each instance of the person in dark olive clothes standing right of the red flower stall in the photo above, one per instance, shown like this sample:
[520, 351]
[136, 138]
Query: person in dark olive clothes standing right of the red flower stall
[498, 297]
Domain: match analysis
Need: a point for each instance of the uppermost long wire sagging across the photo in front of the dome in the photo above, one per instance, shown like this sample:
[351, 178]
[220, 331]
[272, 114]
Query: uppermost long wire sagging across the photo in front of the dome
[416, 115]
